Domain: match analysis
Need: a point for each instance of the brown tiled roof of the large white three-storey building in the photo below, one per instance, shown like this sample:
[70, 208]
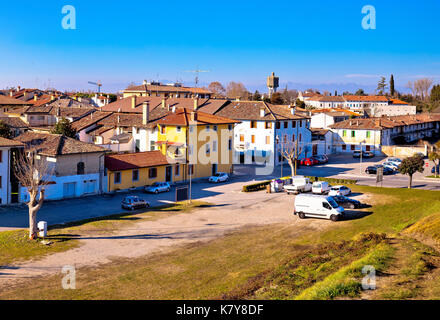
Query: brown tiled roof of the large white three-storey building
[250, 110]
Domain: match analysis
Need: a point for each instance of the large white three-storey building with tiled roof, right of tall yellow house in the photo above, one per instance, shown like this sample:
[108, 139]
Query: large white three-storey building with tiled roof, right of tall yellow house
[265, 129]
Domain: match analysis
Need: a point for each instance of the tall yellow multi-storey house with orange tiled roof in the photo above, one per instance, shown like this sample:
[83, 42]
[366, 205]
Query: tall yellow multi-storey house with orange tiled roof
[201, 142]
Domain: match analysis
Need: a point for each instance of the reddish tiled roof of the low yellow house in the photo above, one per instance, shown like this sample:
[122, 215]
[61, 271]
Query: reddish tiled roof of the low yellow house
[130, 161]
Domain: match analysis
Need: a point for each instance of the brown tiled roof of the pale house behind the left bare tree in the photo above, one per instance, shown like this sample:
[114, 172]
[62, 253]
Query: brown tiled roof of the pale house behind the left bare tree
[55, 145]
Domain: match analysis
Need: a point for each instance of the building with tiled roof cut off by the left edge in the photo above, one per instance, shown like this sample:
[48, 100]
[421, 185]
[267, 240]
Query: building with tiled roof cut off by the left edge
[8, 183]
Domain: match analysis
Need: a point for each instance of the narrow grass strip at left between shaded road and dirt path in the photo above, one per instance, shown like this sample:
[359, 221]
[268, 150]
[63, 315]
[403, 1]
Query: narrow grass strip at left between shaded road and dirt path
[15, 246]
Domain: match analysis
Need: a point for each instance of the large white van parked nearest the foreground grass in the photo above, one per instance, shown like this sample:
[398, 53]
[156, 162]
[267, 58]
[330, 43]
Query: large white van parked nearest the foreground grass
[316, 206]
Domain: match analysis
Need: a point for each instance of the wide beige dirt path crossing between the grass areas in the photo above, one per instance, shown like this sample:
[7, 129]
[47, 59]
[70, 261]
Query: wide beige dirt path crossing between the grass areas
[146, 237]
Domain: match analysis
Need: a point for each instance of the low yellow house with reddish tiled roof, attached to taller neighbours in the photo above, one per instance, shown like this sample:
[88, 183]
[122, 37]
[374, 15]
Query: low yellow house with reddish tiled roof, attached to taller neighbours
[135, 170]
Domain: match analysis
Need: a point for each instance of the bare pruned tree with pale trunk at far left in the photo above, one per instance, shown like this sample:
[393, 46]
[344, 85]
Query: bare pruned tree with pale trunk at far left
[32, 173]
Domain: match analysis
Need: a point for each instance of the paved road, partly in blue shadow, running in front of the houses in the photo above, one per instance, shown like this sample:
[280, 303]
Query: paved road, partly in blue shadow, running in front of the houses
[58, 212]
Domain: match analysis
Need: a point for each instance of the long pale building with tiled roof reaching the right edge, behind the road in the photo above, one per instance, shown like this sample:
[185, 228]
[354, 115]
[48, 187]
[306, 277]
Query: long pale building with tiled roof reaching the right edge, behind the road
[374, 133]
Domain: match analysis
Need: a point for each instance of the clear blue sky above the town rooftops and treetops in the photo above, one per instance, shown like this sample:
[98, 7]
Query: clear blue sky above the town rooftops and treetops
[315, 43]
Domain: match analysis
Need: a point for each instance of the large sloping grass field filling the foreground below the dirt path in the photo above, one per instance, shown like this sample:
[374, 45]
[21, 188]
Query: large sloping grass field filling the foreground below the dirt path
[278, 262]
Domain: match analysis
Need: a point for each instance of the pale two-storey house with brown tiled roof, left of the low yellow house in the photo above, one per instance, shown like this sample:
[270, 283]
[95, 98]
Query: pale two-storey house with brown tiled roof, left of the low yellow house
[76, 168]
